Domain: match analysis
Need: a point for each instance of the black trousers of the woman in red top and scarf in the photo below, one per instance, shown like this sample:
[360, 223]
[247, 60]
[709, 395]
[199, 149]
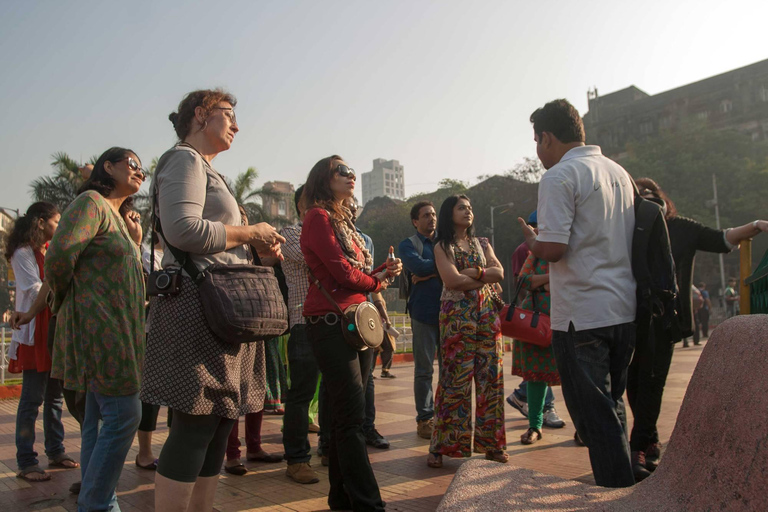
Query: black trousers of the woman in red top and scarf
[345, 375]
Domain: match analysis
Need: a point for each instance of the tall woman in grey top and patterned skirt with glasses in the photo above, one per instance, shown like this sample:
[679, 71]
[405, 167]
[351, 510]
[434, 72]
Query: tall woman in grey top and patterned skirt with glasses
[207, 382]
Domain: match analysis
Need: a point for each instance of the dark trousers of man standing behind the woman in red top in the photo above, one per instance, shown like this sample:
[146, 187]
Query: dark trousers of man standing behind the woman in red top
[304, 374]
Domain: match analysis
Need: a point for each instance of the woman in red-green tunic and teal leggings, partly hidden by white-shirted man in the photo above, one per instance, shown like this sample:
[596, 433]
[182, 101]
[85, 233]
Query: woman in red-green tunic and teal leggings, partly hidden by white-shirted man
[536, 365]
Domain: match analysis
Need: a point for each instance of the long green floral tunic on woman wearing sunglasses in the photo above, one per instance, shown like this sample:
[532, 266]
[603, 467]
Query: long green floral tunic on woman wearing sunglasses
[94, 269]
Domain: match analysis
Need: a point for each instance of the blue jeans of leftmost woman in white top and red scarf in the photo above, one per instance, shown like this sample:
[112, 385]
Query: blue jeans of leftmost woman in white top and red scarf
[38, 388]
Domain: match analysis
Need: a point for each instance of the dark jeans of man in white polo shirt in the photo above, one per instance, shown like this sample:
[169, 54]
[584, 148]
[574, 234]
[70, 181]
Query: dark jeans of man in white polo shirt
[593, 370]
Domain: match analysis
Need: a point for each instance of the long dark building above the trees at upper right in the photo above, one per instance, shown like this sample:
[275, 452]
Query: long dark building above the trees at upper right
[736, 100]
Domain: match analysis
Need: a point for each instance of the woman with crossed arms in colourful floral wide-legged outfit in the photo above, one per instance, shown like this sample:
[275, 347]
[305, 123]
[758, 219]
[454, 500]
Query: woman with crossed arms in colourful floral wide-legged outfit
[470, 337]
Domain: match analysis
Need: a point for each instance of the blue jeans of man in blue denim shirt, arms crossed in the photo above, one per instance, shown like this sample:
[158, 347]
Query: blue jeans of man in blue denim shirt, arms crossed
[426, 343]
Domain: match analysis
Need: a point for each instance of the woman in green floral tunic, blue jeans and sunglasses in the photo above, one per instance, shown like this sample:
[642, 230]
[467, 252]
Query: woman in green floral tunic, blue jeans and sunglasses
[94, 268]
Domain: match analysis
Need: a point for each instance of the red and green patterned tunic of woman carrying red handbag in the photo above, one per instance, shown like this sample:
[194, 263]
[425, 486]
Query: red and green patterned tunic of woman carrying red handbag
[529, 361]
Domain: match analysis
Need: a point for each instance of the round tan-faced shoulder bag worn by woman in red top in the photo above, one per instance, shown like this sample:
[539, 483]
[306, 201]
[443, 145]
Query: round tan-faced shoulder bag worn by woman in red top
[361, 323]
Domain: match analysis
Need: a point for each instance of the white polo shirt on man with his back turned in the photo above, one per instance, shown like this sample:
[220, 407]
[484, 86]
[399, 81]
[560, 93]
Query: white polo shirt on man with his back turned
[586, 201]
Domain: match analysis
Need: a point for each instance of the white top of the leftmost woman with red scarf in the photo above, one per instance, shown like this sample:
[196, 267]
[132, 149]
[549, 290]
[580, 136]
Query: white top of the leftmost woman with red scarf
[28, 284]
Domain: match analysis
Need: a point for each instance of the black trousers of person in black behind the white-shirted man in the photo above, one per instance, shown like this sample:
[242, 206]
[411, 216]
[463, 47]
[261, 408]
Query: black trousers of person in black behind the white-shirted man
[645, 386]
